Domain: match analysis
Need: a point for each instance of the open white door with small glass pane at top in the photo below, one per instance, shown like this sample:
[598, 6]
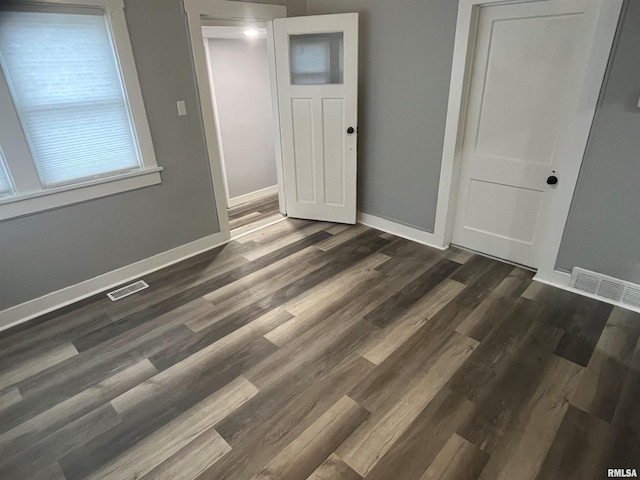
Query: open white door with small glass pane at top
[317, 76]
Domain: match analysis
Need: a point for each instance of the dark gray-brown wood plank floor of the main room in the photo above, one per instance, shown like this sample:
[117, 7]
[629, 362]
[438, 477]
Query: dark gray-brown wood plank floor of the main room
[311, 350]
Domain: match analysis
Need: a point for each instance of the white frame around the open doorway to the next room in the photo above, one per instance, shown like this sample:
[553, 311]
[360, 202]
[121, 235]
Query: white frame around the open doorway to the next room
[230, 10]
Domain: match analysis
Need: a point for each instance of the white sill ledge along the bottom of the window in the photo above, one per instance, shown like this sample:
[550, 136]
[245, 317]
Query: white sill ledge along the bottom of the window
[18, 206]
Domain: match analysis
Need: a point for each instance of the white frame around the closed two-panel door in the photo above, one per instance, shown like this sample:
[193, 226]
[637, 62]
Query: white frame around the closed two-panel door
[461, 72]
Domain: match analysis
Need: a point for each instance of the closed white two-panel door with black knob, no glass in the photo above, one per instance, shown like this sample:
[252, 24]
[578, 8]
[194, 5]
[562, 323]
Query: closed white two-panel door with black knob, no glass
[528, 69]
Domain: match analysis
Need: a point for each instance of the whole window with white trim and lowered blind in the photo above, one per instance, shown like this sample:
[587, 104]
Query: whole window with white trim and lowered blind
[74, 107]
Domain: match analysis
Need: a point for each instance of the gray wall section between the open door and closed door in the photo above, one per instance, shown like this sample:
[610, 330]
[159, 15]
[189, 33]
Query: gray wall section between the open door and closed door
[406, 50]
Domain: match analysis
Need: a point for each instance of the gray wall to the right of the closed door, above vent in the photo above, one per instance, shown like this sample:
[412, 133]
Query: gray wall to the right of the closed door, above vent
[603, 230]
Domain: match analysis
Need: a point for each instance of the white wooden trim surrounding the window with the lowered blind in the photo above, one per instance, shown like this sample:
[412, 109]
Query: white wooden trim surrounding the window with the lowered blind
[30, 202]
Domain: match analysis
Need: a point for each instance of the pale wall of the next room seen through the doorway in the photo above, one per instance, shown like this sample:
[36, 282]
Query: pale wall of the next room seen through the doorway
[240, 71]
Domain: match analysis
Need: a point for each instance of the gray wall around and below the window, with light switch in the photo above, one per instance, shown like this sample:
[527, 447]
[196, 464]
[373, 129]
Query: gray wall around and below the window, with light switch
[52, 250]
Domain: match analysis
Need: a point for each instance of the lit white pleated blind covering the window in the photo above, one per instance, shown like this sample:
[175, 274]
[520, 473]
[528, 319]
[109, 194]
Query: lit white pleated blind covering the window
[66, 85]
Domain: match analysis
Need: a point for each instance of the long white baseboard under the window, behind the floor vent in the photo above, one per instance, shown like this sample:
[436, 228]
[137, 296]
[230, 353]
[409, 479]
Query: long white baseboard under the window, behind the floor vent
[66, 296]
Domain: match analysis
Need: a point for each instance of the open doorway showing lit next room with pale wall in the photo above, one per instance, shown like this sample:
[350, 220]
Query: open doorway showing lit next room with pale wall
[241, 91]
